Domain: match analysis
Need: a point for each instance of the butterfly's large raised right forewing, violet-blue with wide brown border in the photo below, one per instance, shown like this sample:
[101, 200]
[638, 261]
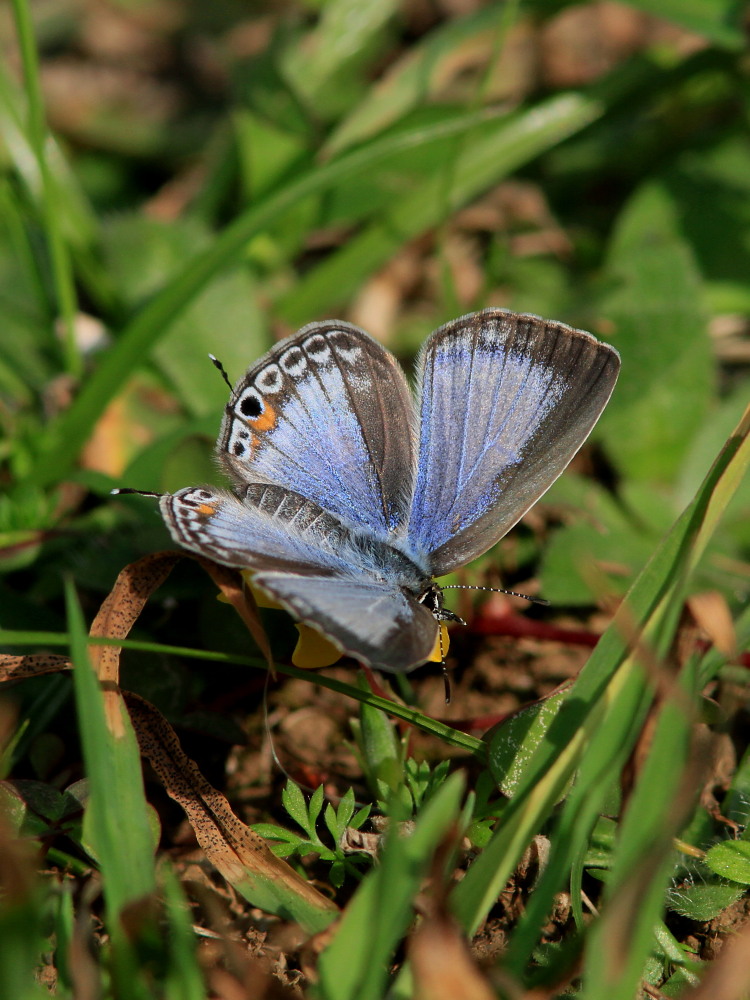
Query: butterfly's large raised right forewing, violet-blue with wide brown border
[507, 400]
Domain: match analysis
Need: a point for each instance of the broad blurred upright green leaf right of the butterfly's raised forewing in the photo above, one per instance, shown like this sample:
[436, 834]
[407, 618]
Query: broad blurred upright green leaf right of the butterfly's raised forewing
[660, 330]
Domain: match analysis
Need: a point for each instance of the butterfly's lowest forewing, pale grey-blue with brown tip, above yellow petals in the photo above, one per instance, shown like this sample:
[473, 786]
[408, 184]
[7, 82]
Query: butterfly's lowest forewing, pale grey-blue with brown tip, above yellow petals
[376, 624]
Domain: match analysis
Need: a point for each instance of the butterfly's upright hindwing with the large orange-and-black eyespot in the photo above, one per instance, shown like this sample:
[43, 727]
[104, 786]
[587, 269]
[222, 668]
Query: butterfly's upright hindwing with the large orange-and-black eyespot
[327, 413]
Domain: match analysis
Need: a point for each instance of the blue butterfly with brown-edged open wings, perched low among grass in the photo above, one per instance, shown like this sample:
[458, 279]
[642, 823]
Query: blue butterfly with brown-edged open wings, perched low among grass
[351, 494]
